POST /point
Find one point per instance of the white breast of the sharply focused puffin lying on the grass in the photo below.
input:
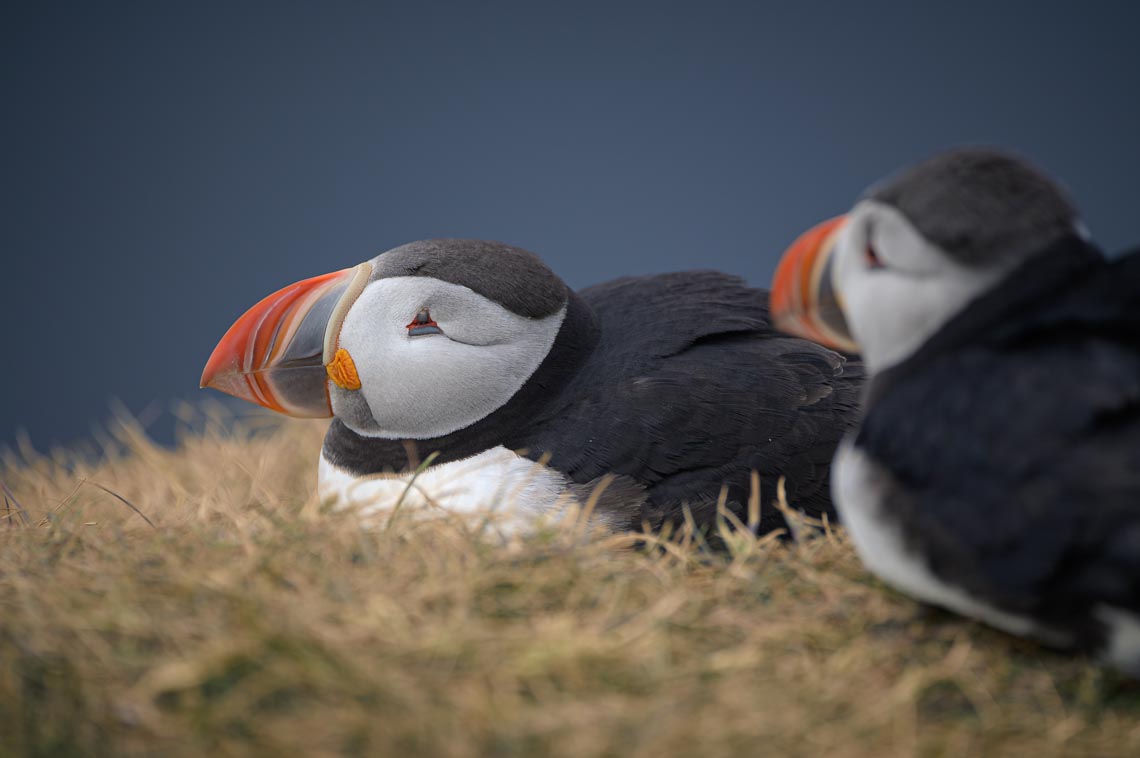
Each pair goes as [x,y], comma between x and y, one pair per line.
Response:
[496,482]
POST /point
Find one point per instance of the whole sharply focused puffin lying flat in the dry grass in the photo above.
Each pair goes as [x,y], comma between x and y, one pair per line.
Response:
[467,376]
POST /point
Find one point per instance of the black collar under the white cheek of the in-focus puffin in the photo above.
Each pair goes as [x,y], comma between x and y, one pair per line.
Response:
[369,455]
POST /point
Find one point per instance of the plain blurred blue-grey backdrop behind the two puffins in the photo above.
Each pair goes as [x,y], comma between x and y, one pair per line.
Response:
[168,165]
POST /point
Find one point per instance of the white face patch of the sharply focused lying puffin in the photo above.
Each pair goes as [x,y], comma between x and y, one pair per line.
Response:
[426,387]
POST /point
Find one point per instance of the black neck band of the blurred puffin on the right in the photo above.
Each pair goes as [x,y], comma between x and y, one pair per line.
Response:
[994,319]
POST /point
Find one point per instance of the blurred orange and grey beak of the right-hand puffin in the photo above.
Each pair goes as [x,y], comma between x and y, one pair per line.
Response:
[804,299]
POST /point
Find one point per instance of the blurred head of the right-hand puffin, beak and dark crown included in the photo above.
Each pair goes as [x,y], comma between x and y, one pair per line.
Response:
[916,250]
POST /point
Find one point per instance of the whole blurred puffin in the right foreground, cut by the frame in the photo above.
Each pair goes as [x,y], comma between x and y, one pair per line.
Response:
[996,471]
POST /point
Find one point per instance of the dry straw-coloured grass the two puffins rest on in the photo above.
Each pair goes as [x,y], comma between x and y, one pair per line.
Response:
[248,621]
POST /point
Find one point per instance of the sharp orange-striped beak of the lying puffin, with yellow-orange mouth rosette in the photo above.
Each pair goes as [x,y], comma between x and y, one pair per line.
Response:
[282,353]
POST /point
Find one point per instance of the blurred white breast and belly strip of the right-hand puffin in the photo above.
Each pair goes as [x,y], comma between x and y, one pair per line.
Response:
[858,487]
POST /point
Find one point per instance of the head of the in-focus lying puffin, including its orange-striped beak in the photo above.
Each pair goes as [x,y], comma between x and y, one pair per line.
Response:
[419,343]
